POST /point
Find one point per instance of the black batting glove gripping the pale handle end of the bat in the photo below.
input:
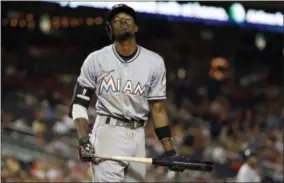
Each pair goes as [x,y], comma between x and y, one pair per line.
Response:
[86,149]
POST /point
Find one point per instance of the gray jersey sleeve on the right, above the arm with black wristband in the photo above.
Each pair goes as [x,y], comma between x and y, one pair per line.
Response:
[158,83]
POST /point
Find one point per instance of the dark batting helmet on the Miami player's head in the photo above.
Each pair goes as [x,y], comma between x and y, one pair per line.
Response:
[119,8]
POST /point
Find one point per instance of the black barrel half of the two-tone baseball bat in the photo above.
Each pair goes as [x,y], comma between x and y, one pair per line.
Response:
[191,165]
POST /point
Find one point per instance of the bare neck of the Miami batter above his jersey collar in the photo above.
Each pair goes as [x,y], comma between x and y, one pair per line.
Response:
[126,48]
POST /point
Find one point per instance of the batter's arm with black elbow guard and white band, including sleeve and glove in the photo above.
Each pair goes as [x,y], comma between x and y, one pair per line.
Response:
[81,99]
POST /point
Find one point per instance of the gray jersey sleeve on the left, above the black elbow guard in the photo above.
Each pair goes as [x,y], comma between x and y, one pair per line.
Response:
[88,74]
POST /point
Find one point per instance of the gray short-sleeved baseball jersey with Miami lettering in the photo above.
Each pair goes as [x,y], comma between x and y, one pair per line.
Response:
[123,88]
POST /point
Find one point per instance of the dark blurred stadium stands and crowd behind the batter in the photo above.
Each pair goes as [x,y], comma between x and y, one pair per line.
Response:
[225,88]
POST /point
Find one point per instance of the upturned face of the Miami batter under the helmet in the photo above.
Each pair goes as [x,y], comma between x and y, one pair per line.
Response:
[124,26]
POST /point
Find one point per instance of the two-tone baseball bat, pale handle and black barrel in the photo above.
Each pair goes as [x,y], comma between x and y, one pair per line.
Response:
[190,165]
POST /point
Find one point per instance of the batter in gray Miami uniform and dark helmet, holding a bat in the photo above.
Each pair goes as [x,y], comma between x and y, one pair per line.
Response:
[129,82]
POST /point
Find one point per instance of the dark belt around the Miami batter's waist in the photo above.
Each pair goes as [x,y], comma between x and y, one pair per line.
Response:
[132,124]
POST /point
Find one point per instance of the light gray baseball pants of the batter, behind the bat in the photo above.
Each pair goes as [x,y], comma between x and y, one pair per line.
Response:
[112,140]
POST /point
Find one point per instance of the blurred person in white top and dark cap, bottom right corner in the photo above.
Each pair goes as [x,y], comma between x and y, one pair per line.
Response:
[247,172]
